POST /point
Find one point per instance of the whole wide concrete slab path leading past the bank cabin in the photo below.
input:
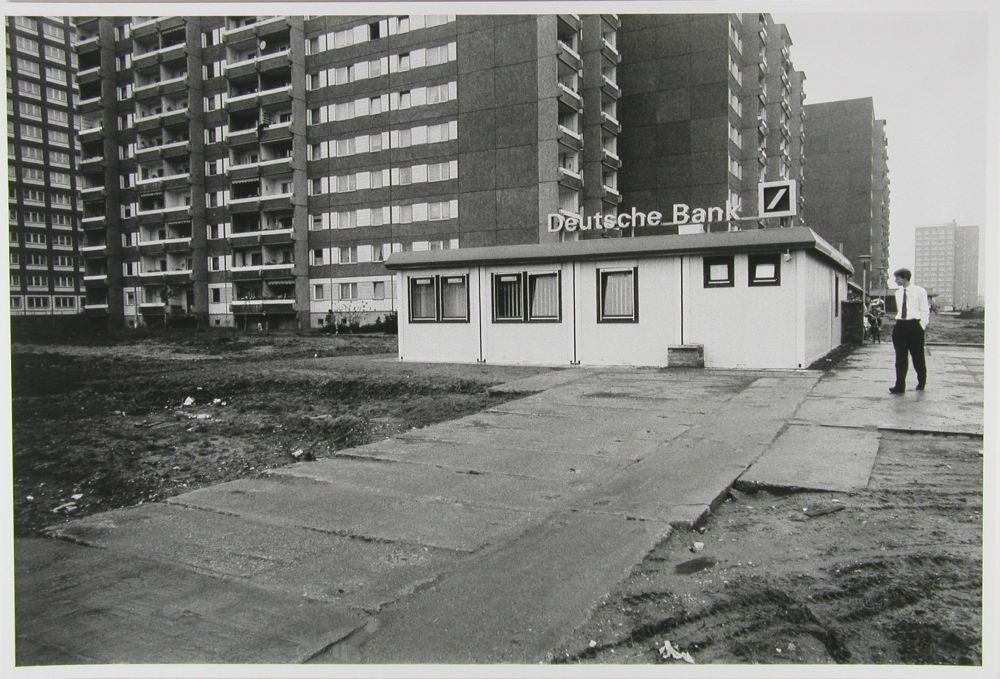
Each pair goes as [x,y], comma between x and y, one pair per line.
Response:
[484,539]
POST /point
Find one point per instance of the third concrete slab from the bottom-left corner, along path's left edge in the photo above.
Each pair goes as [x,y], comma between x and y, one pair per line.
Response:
[345,510]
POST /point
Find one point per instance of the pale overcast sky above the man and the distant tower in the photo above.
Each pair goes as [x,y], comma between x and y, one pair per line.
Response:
[927,74]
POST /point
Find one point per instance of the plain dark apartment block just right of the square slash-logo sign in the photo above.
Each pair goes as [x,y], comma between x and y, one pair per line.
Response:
[847,184]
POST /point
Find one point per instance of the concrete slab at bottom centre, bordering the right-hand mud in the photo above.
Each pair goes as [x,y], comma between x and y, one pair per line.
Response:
[513,604]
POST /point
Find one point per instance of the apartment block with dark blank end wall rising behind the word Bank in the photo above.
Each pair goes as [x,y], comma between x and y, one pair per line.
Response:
[707,114]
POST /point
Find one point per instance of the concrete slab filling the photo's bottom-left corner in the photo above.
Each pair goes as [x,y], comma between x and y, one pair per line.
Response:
[80,605]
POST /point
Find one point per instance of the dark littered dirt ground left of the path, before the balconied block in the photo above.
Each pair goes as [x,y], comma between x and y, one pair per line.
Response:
[101,427]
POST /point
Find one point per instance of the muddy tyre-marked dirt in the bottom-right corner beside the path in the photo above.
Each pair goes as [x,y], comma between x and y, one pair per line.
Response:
[893,577]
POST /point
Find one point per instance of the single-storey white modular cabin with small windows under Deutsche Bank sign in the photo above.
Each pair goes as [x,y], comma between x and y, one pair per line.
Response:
[761,299]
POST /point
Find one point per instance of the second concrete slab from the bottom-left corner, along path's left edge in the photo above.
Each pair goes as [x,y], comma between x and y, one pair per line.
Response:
[294,561]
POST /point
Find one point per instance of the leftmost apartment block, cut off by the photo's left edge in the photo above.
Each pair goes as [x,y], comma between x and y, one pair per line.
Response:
[44,216]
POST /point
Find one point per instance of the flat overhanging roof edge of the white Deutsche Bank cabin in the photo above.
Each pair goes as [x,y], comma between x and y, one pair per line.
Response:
[728,242]
